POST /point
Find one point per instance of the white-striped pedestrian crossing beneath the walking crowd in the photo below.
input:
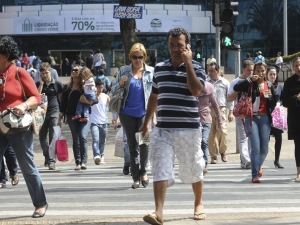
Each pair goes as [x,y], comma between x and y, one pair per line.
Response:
[108,193]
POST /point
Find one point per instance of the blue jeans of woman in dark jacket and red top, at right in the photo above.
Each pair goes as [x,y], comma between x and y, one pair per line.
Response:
[259,139]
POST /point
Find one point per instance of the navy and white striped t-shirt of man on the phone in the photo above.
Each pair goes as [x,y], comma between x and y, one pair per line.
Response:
[177,107]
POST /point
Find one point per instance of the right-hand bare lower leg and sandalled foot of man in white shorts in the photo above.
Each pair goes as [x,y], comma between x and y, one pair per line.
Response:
[198,205]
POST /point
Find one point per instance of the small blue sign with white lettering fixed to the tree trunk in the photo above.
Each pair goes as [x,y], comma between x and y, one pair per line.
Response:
[128,12]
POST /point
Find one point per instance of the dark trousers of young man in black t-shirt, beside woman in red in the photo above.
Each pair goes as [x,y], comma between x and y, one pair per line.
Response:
[49,123]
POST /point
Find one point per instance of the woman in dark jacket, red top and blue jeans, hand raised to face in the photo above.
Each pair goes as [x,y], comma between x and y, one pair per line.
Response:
[264,102]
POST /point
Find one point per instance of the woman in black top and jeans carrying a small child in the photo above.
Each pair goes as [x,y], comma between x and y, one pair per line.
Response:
[79,130]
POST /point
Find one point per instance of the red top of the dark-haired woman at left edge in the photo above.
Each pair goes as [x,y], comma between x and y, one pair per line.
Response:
[13,91]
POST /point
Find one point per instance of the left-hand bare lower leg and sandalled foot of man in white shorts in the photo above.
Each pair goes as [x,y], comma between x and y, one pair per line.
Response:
[159,189]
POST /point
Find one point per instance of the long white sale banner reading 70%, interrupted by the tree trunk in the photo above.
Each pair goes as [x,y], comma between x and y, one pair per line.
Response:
[96,24]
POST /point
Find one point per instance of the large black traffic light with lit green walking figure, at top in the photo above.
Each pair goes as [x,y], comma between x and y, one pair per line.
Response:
[227,28]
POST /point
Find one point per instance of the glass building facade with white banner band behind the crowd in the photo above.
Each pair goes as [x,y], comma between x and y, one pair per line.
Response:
[258,27]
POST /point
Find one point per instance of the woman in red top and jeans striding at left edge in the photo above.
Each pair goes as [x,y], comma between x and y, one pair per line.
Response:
[11,96]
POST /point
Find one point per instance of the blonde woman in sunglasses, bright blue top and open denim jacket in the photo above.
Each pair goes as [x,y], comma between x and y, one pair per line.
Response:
[137,78]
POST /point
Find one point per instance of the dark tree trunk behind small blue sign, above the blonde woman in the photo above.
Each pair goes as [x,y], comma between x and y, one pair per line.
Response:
[127,28]
